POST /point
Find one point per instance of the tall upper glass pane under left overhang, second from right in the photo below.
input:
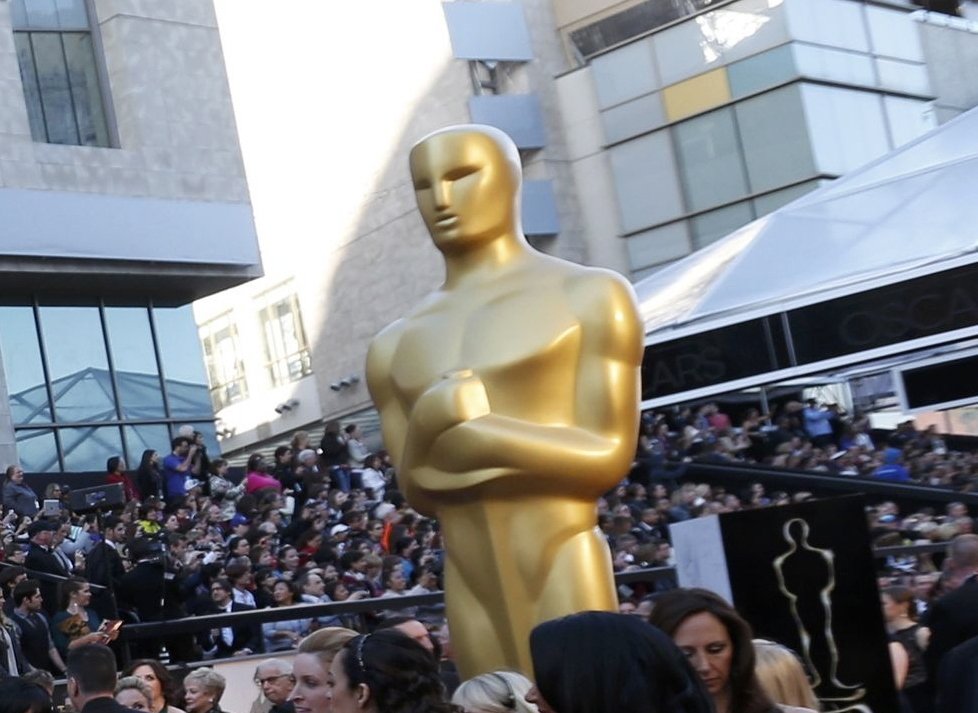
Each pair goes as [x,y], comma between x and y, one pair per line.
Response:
[137,374]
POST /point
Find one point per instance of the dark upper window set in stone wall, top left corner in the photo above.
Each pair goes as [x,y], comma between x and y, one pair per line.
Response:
[53,39]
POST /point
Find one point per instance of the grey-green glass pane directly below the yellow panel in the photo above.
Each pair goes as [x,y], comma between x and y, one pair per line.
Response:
[710,163]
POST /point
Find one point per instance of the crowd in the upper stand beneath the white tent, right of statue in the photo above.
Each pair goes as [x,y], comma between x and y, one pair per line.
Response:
[808,436]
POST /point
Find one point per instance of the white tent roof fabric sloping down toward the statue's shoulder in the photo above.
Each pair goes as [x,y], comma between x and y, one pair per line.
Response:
[914,207]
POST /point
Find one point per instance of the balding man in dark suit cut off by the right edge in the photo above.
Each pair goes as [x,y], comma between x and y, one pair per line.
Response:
[953,618]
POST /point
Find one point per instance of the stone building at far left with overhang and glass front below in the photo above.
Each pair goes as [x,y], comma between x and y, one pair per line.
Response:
[124,199]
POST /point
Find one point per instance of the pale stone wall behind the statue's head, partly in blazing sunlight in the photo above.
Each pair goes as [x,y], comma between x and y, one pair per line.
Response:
[334,204]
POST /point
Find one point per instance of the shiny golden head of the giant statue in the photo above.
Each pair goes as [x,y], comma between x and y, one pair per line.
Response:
[465,187]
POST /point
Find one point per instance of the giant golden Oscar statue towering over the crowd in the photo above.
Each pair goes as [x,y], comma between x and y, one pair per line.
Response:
[509,400]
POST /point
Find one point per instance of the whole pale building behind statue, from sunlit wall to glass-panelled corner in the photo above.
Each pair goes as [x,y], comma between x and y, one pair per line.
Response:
[653,127]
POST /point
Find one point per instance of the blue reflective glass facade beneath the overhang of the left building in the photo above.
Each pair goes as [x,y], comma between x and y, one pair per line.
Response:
[88,381]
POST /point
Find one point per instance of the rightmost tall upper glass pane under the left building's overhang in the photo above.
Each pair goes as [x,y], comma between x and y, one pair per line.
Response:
[183,363]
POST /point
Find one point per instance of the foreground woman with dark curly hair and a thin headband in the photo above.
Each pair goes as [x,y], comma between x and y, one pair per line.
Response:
[386,672]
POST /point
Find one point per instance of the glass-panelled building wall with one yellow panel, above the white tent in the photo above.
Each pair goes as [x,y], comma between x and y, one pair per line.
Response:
[709,123]
